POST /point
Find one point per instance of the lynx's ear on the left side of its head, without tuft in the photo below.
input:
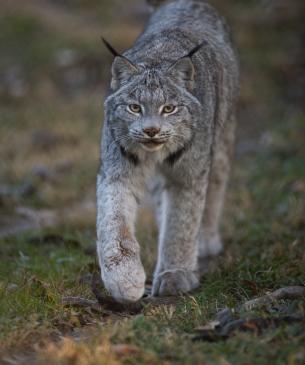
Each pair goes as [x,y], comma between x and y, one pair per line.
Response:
[122,69]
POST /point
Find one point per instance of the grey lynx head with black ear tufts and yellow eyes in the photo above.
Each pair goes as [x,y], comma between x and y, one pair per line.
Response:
[152,107]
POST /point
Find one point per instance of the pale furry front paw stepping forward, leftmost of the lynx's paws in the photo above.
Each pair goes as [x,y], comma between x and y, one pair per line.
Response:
[123,275]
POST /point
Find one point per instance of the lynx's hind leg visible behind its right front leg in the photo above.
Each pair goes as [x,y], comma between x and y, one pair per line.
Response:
[210,243]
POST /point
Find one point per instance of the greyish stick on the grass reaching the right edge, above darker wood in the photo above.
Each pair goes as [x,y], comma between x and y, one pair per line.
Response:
[288,292]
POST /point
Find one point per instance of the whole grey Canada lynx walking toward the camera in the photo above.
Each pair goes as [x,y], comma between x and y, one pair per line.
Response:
[168,128]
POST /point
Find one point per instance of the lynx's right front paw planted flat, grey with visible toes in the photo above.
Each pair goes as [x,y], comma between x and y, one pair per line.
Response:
[174,282]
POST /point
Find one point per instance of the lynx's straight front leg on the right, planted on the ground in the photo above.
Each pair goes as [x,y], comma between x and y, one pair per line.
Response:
[177,262]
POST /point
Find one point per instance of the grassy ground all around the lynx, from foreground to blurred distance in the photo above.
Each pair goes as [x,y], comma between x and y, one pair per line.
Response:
[263,225]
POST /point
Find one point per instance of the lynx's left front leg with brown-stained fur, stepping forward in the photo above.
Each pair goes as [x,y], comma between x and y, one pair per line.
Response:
[118,250]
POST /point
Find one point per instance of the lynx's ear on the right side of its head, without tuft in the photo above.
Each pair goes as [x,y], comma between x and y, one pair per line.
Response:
[183,72]
